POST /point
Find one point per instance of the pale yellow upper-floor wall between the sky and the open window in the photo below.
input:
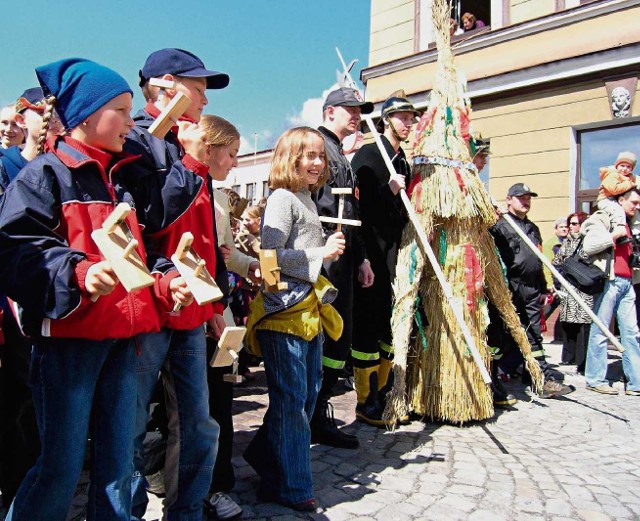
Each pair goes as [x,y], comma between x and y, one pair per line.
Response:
[392,30]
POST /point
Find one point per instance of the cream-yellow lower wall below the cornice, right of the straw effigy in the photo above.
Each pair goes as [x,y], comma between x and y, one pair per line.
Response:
[531,138]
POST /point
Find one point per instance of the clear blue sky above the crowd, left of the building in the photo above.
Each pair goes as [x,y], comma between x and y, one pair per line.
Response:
[279,54]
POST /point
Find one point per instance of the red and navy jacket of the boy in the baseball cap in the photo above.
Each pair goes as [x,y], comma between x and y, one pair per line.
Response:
[175,194]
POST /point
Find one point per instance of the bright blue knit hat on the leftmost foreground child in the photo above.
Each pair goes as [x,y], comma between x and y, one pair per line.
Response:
[80,87]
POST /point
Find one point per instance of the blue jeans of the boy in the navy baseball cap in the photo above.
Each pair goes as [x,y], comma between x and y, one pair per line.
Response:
[180,357]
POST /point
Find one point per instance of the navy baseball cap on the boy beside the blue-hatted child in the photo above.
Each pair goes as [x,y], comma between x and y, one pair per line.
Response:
[180,63]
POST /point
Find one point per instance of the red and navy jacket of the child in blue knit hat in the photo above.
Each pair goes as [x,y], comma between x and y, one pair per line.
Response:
[47,215]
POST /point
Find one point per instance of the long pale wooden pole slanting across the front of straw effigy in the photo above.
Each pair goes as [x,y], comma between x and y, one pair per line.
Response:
[455,303]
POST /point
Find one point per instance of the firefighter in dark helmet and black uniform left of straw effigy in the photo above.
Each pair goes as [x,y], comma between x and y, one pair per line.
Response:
[383,219]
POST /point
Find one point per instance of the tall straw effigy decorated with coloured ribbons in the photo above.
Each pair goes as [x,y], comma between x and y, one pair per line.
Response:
[434,373]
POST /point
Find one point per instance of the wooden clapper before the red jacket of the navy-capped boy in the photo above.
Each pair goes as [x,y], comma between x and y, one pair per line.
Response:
[193,270]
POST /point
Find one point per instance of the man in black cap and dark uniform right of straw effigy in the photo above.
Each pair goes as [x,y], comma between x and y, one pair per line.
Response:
[527,283]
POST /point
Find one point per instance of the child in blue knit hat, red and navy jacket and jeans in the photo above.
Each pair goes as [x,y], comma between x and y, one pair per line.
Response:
[83,359]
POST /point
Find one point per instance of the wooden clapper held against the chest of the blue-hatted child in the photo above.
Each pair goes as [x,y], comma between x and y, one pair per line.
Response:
[117,244]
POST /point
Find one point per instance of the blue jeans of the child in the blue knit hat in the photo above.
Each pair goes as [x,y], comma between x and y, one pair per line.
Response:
[76,383]
